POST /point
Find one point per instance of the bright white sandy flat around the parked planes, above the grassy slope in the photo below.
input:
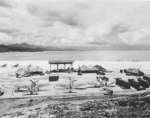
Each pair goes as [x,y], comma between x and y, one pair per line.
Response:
[8,79]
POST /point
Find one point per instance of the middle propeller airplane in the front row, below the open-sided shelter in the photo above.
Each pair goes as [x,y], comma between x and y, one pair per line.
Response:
[70,86]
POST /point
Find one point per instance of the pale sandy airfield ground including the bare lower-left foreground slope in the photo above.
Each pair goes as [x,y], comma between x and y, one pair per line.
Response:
[8,79]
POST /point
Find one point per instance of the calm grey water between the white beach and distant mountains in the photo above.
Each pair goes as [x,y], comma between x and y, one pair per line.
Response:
[77,55]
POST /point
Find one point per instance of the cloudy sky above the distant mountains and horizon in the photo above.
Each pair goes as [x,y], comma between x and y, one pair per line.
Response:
[75,22]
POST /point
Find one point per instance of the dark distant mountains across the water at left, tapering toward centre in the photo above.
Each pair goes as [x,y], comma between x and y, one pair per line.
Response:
[24,47]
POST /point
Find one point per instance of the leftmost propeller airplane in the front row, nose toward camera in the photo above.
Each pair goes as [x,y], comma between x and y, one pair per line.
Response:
[34,87]
